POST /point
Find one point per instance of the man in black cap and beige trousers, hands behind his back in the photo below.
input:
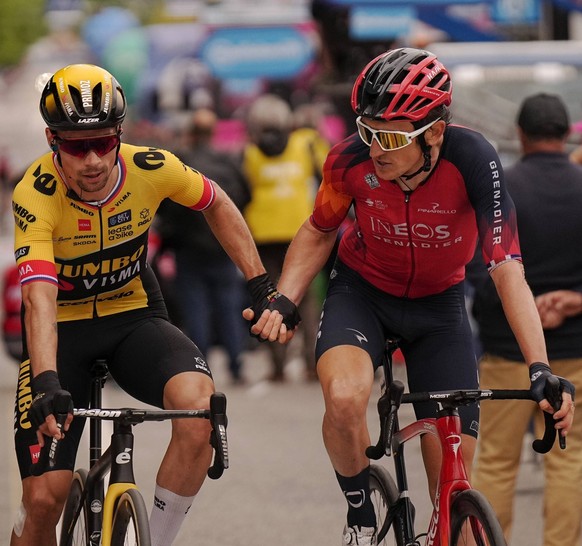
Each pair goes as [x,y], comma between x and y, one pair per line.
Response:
[547,190]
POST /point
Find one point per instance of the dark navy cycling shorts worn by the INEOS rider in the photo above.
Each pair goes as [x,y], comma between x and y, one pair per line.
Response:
[436,339]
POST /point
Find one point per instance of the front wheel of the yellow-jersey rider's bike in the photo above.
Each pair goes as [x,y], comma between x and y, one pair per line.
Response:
[130,522]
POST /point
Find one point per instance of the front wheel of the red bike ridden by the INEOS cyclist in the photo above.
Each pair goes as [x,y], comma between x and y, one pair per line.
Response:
[473,521]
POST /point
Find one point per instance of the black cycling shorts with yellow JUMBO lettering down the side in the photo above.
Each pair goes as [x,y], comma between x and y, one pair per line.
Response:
[143,351]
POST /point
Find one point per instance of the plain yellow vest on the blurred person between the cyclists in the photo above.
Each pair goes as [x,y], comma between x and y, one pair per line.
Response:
[283,188]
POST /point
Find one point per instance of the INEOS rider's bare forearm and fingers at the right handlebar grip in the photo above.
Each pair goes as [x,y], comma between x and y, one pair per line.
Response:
[522,314]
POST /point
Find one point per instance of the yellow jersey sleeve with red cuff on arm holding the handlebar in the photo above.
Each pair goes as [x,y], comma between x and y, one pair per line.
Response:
[35,215]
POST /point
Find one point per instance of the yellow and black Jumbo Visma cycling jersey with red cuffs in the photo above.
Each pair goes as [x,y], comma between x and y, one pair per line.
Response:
[96,253]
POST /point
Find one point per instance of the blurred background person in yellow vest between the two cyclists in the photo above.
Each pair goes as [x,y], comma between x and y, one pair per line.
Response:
[283,168]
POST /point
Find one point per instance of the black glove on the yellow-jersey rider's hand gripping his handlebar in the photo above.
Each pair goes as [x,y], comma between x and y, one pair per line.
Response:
[49,398]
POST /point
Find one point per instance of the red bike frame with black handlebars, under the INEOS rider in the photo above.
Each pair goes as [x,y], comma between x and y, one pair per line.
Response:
[446,428]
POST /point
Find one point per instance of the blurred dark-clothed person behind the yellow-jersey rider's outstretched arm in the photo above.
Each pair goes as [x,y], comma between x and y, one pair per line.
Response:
[209,291]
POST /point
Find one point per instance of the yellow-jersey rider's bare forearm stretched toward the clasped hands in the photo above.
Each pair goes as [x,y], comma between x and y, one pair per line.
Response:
[231,230]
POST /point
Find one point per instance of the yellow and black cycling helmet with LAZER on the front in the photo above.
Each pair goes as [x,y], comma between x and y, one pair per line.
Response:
[82,97]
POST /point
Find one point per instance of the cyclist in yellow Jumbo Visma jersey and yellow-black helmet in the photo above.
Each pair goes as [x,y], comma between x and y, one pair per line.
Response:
[82,216]
